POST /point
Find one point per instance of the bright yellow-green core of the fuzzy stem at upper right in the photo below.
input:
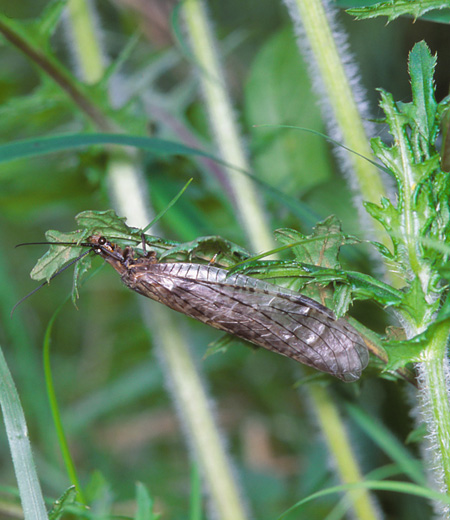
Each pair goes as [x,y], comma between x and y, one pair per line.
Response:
[341,99]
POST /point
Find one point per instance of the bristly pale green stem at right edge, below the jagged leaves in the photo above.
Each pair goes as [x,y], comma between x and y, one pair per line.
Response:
[434,394]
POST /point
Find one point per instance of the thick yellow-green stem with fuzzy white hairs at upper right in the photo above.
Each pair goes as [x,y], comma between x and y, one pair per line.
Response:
[336,79]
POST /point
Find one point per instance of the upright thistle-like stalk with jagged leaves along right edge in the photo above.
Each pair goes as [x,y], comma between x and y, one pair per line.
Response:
[422,300]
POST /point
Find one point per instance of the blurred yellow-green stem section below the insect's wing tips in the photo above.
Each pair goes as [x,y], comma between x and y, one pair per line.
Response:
[338,442]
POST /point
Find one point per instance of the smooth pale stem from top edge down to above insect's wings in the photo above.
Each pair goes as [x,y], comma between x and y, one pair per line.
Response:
[224,126]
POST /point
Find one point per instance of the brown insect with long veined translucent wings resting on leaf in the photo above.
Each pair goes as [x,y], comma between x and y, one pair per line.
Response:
[269,316]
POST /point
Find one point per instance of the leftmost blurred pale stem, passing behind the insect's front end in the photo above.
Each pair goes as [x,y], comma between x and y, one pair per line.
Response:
[129,194]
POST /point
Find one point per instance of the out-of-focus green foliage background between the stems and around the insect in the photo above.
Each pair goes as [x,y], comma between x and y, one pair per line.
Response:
[119,419]
